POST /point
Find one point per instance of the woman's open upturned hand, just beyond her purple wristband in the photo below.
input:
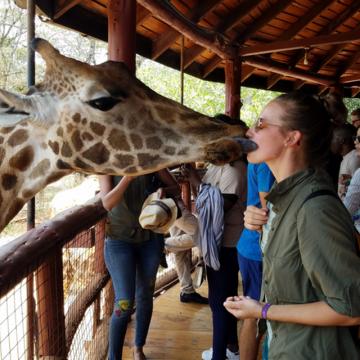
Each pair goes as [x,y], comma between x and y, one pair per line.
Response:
[243,307]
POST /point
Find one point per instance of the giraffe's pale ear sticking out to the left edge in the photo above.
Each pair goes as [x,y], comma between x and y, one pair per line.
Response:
[16,108]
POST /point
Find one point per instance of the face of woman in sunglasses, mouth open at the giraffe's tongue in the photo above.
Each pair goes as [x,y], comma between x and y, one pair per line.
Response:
[268,134]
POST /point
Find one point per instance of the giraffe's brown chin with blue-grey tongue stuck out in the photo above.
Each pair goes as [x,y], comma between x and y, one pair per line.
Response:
[227,150]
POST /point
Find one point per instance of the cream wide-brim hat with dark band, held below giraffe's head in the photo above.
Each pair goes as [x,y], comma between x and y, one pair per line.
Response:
[158,215]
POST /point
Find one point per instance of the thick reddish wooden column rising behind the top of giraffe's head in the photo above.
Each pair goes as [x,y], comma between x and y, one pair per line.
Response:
[122,31]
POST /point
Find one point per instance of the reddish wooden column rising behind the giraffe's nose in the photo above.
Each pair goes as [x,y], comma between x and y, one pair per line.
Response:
[232,87]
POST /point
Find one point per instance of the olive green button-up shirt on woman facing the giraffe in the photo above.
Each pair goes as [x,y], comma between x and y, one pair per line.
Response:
[310,256]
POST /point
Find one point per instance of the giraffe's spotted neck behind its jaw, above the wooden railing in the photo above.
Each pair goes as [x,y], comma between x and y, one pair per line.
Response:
[27,166]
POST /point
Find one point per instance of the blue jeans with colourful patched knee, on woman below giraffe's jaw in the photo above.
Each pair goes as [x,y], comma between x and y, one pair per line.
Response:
[133,269]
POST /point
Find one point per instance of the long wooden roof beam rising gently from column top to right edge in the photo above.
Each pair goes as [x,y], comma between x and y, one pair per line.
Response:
[278,46]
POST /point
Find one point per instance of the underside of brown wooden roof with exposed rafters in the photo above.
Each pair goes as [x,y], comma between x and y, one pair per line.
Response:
[283,44]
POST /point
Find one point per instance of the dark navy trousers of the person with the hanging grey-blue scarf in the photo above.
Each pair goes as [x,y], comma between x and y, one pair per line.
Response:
[222,284]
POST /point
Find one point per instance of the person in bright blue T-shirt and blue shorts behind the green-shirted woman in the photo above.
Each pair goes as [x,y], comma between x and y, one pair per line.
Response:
[259,180]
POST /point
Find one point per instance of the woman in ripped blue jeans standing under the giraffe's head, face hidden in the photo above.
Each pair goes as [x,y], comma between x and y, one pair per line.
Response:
[132,255]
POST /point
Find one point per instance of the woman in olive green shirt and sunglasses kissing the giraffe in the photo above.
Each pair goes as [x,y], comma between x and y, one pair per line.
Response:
[311,270]
